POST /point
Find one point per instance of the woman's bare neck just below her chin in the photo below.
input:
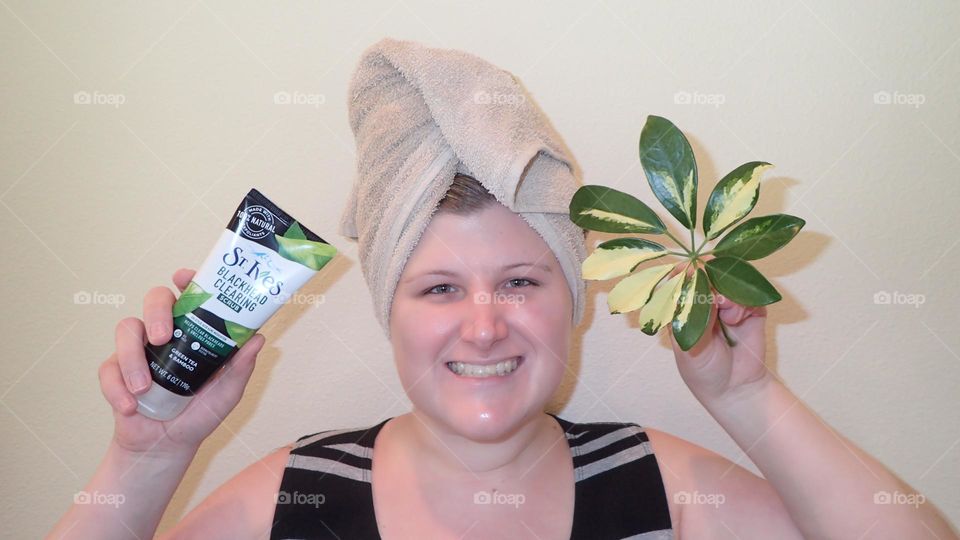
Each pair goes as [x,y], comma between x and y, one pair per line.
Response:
[511,456]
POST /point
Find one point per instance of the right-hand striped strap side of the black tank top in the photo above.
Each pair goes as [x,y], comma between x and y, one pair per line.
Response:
[619,492]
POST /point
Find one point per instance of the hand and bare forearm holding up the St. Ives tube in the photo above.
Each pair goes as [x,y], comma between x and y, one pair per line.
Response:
[146,459]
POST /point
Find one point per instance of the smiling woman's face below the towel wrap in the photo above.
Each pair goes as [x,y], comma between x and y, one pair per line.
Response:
[481,289]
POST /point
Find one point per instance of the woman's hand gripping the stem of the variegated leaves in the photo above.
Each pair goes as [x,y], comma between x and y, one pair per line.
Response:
[712,369]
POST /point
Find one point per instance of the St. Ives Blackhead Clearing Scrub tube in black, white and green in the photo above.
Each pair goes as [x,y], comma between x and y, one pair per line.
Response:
[260,260]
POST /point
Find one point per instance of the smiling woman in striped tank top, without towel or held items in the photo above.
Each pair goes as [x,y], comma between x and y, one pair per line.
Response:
[480,320]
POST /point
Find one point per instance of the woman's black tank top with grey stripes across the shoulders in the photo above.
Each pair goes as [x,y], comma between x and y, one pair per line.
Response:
[619,492]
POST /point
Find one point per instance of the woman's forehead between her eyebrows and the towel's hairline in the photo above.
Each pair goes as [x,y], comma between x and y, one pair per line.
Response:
[488,238]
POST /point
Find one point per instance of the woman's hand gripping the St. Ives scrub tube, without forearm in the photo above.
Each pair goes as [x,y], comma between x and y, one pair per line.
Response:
[126,374]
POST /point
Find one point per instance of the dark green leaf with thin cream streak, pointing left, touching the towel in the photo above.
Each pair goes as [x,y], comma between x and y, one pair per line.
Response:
[599,208]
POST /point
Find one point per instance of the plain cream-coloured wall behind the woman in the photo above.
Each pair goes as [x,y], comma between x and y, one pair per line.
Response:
[108,200]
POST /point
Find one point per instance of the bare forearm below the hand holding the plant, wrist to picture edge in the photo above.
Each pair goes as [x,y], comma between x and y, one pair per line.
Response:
[831,488]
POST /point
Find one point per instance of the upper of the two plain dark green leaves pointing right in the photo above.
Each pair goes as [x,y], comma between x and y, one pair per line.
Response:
[758,237]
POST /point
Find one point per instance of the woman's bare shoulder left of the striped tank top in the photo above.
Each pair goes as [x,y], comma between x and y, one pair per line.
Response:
[242,507]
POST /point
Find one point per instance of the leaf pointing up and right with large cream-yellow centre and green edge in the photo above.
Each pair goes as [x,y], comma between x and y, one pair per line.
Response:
[733,197]
